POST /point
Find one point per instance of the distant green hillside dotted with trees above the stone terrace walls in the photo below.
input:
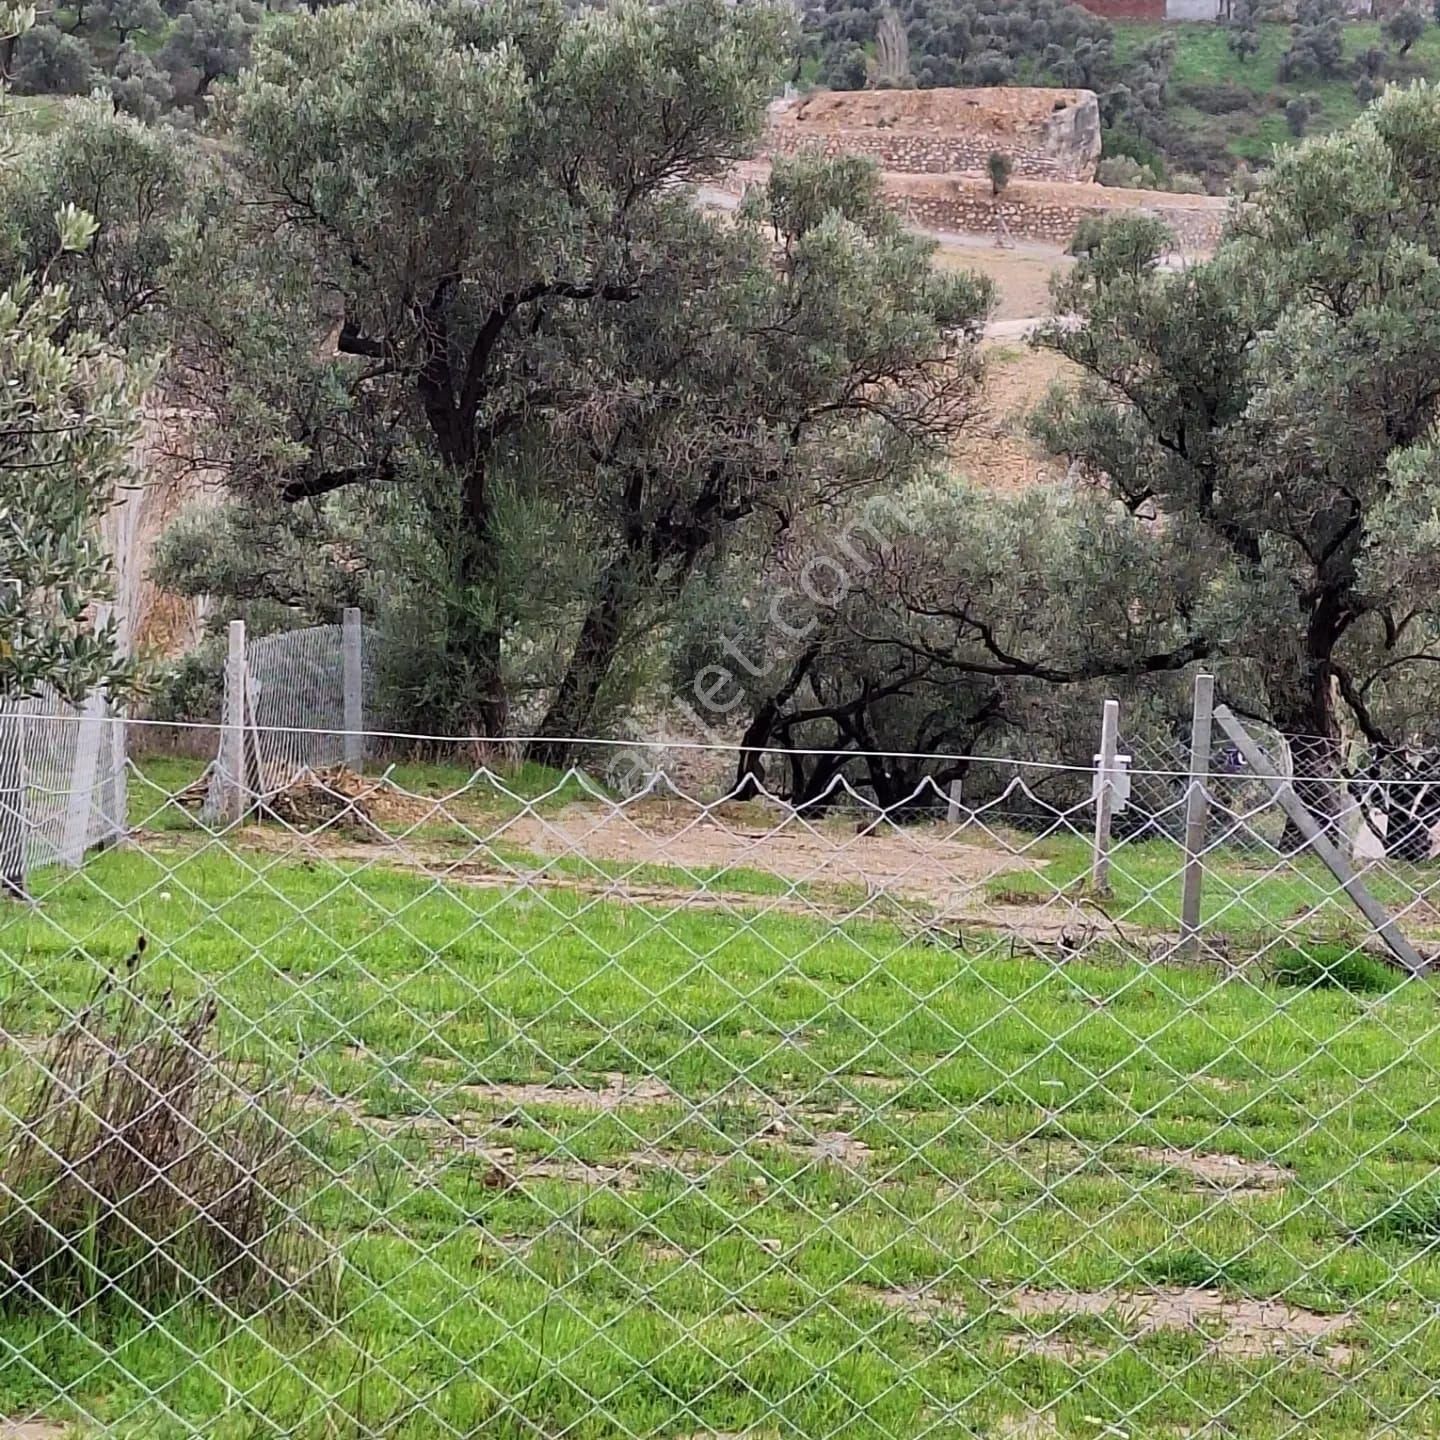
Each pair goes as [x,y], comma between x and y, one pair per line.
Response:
[1183,100]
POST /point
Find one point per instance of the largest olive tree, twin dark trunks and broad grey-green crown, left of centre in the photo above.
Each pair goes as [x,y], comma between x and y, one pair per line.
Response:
[552,382]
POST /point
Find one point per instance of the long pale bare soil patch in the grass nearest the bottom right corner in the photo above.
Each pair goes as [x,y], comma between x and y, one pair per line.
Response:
[1236,1328]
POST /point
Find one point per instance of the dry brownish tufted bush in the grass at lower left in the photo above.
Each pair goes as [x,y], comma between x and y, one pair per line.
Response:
[140,1166]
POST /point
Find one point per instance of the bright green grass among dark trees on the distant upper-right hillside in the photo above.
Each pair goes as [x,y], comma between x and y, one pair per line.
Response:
[1202,55]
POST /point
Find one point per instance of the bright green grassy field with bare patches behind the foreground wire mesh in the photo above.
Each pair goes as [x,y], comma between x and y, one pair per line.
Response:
[872,1186]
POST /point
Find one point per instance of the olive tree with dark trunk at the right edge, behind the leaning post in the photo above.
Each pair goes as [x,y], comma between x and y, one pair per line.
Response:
[1264,404]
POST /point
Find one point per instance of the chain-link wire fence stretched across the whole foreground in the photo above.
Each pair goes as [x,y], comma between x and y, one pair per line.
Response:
[453,1102]
